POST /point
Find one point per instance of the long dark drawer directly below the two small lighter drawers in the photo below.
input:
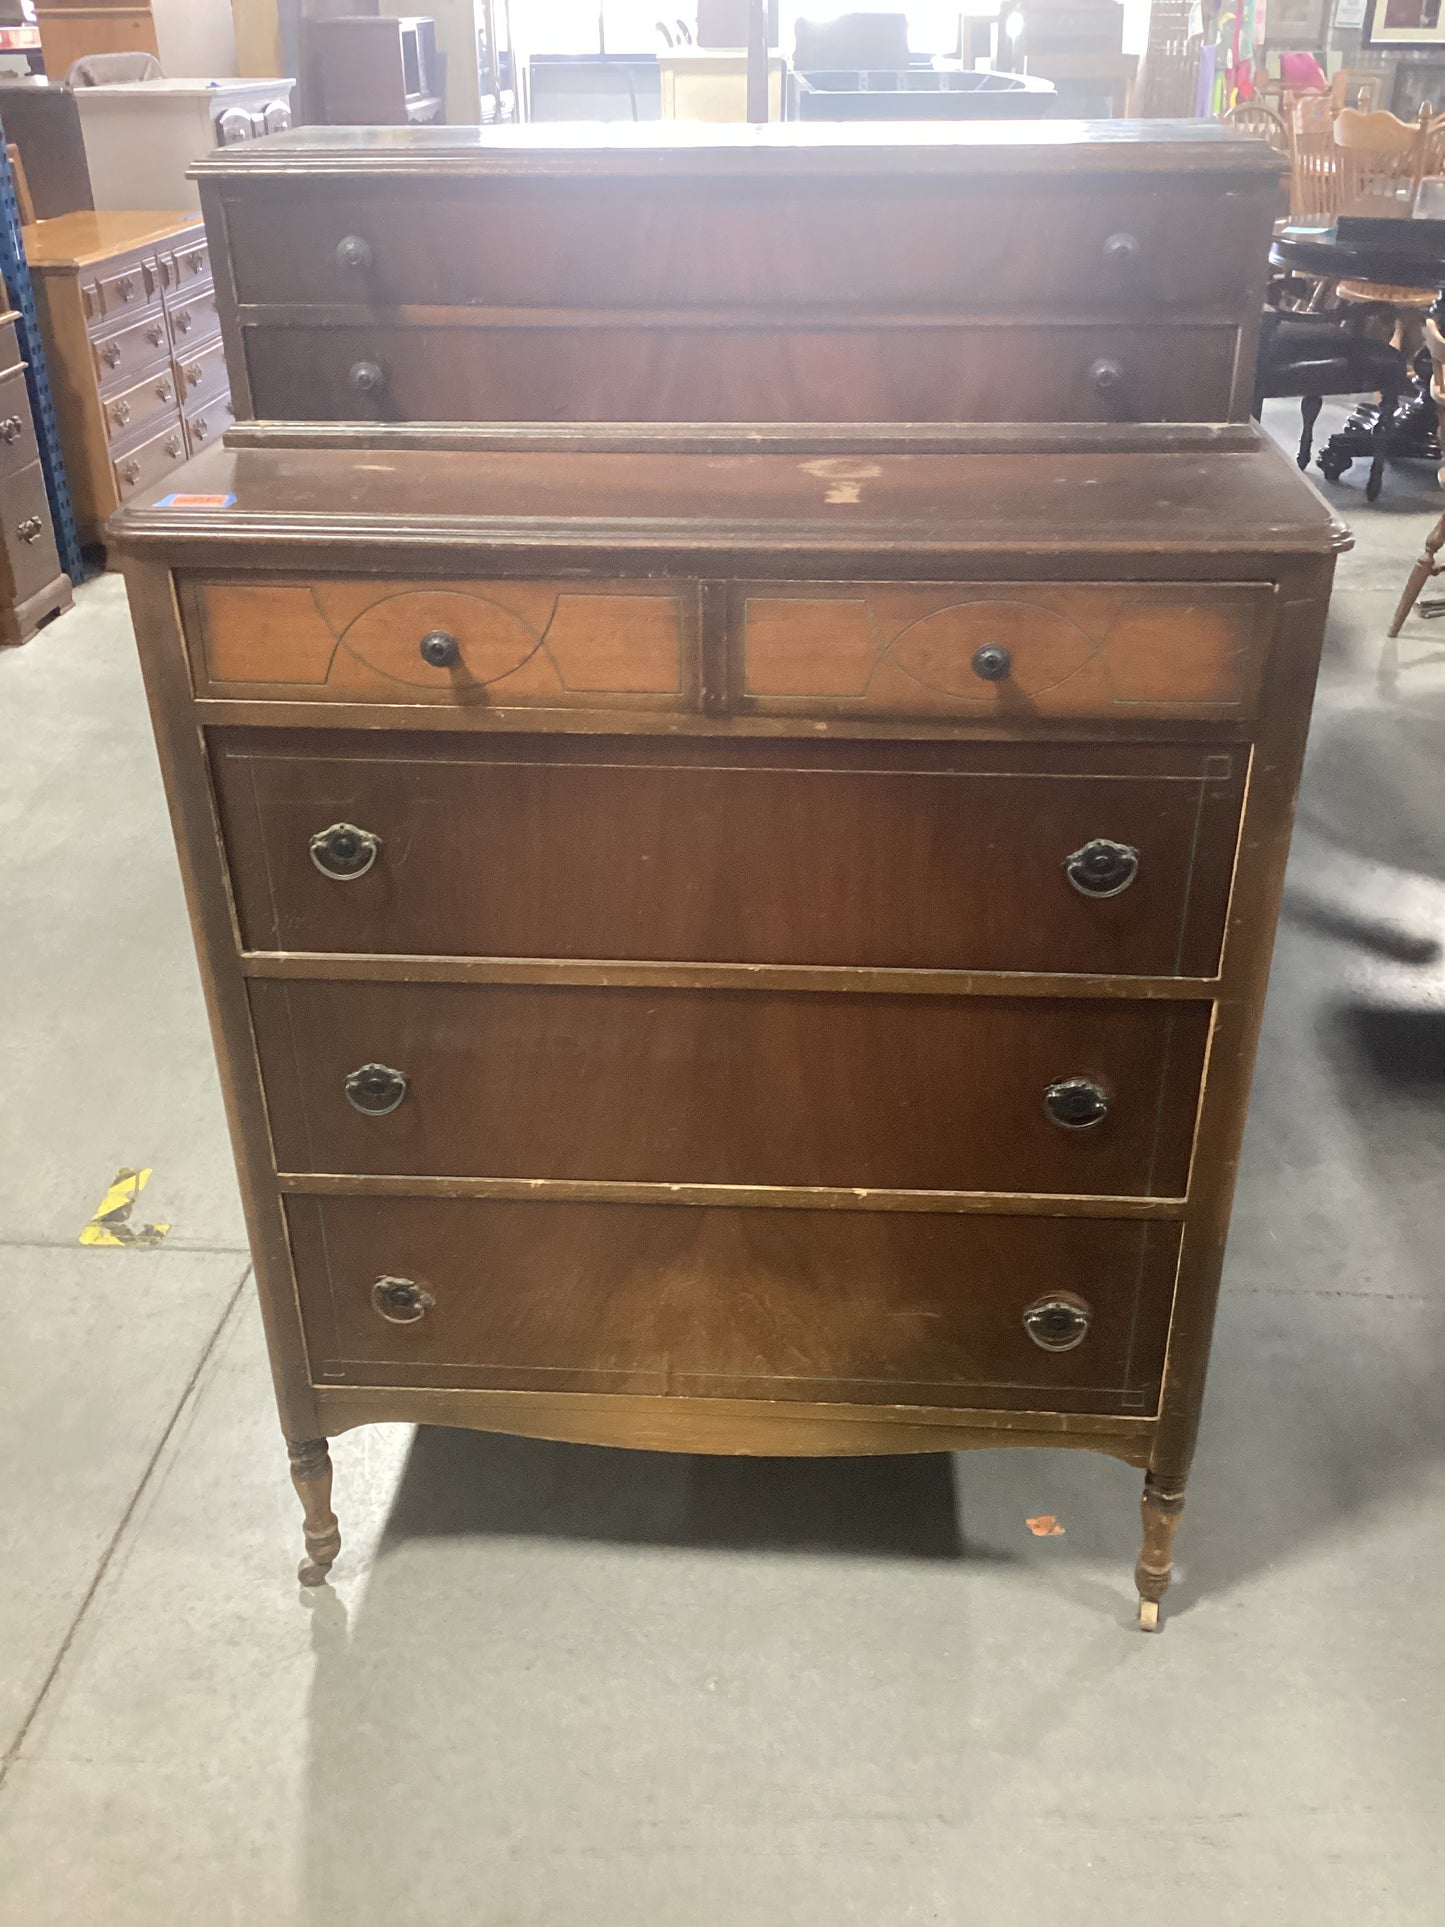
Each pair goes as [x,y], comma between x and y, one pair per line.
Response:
[947,857]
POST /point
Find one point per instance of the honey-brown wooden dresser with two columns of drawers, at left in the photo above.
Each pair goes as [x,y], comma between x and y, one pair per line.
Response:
[132,330]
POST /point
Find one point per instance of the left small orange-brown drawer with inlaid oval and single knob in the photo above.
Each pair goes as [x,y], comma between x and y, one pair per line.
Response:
[527,645]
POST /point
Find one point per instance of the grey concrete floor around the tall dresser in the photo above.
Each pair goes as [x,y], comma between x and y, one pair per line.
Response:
[556,1685]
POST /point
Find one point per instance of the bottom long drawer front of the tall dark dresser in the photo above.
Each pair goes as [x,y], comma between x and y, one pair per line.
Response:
[905,1307]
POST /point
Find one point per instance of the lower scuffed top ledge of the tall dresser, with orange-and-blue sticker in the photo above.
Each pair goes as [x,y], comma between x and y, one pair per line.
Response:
[760,504]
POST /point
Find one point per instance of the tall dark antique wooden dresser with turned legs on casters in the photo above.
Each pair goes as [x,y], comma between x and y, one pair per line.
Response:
[741,926]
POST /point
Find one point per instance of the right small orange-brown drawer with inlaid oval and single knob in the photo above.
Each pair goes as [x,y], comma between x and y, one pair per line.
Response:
[1007,650]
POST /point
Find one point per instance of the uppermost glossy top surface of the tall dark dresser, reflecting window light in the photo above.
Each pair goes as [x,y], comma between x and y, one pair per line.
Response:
[1057,149]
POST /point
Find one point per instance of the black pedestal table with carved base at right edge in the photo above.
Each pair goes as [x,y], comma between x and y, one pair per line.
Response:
[1392,248]
